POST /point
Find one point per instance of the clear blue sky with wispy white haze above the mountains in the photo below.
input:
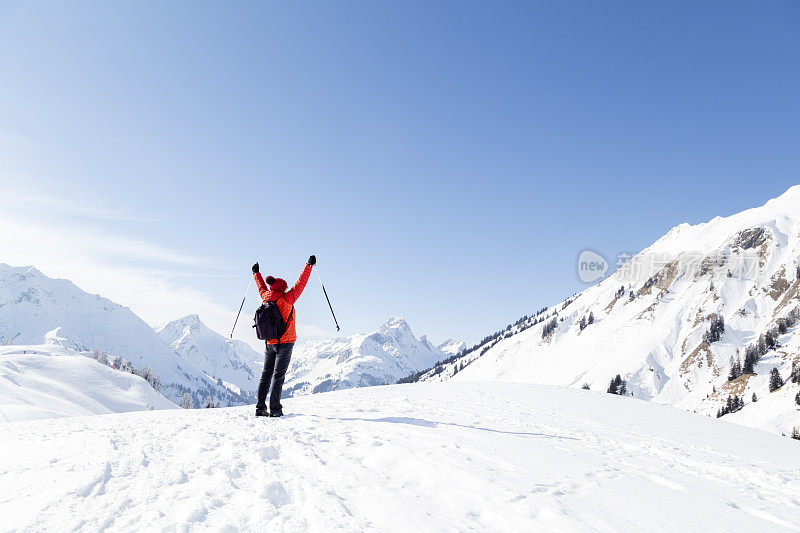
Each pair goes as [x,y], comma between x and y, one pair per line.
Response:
[446,161]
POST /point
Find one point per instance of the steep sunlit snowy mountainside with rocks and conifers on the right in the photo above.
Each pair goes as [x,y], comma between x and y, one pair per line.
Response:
[674,322]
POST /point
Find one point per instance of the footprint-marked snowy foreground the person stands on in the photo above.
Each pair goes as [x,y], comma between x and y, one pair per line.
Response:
[424,457]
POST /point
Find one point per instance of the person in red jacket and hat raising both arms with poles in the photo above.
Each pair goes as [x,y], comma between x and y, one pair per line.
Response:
[279,351]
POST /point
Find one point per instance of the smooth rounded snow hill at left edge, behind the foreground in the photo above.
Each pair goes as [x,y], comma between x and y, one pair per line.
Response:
[51,381]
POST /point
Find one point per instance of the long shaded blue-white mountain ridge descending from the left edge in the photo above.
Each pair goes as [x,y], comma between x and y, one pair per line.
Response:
[36,309]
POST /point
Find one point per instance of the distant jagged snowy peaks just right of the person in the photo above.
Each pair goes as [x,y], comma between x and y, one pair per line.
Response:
[378,358]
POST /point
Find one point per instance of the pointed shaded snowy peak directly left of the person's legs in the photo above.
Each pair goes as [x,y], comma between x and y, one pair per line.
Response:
[232,361]
